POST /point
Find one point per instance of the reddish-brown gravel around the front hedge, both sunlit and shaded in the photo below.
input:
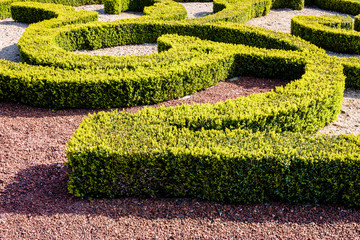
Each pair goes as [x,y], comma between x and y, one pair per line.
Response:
[34,203]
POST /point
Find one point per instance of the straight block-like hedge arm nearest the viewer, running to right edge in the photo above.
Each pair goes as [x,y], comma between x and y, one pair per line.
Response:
[121,154]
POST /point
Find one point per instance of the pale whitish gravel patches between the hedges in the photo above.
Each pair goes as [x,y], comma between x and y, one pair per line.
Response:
[278,20]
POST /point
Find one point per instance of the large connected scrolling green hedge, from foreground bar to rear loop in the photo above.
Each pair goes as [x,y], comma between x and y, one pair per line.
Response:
[243,150]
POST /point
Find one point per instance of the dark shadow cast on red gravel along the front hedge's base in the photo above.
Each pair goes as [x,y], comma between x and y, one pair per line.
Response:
[41,190]
